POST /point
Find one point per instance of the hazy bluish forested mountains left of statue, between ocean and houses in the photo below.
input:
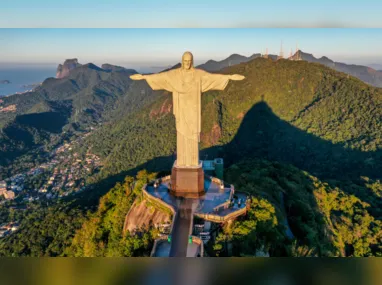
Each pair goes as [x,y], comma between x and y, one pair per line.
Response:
[85,96]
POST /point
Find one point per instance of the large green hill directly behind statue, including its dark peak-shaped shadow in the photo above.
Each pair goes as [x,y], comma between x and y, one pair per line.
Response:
[296,112]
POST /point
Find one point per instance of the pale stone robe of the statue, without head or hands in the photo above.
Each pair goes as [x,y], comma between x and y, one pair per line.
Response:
[186,88]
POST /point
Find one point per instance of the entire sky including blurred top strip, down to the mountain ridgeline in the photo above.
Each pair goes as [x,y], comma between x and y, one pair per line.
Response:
[155,33]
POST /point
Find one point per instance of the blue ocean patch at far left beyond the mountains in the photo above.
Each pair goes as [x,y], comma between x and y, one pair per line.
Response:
[19,76]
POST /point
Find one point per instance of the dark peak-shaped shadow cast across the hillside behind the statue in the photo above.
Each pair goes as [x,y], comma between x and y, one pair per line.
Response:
[263,135]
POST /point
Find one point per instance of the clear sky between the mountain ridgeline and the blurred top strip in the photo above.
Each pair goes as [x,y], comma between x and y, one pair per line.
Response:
[151,47]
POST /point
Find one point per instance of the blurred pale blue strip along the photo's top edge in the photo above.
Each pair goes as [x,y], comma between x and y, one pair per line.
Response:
[194,14]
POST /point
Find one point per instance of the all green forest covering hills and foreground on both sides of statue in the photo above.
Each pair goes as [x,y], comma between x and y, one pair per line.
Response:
[303,139]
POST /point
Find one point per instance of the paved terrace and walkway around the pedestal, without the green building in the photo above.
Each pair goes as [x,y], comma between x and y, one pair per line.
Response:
[219,204]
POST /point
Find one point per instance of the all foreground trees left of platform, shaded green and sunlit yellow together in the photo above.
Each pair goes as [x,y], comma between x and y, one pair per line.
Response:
[66,229]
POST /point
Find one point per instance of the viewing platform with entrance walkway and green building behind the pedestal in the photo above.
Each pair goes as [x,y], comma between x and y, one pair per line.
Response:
[218,203]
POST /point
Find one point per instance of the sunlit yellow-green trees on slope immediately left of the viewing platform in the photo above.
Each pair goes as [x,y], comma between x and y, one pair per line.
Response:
[101,234]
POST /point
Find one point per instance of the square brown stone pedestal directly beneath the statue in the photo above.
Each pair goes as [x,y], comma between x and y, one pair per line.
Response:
[187,182]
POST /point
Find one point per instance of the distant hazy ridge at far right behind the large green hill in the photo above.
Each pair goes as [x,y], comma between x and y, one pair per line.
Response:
[365,73]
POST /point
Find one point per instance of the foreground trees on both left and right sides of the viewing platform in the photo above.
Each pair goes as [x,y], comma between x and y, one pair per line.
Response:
[325,220]
